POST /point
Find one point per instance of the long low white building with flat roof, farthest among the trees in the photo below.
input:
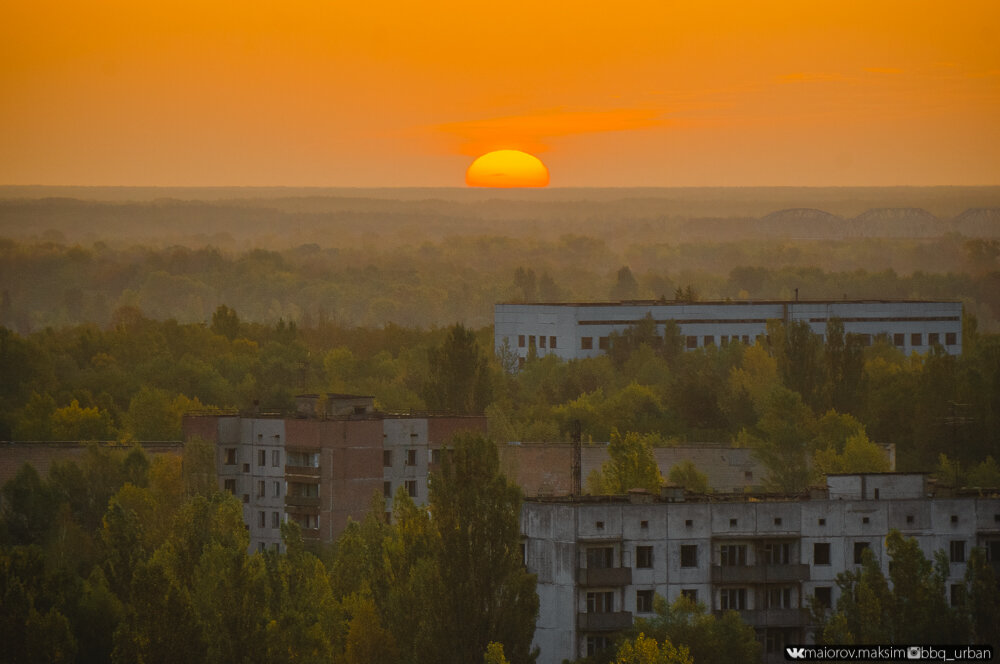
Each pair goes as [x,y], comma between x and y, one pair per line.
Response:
[579,330]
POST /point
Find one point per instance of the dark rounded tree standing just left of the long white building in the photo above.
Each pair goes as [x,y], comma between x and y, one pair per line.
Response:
[459,379]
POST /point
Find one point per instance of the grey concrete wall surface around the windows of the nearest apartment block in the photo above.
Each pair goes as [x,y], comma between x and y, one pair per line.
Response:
[558,532]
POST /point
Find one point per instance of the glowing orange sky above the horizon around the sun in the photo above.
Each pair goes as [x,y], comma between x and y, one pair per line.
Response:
[637,93]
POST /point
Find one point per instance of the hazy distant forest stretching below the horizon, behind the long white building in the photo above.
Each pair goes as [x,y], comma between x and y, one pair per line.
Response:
[428,258]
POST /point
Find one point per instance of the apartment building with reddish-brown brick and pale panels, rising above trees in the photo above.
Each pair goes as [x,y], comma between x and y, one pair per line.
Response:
[319,471]
